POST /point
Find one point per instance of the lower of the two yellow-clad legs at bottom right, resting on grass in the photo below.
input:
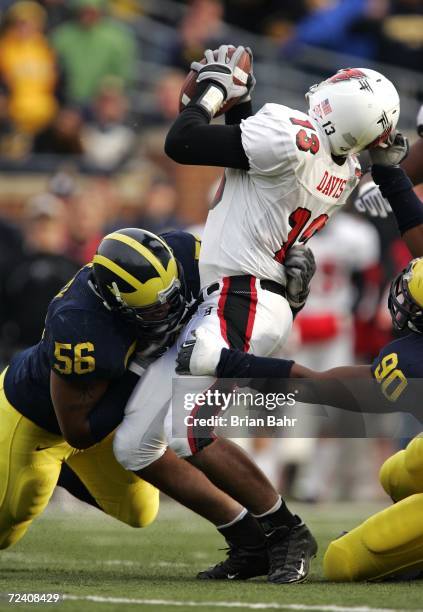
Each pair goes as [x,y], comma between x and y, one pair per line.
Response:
[387,543]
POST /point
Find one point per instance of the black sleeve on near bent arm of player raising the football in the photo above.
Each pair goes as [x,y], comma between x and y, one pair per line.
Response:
[191,140]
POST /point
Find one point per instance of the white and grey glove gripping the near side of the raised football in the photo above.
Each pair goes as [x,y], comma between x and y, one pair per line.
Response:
[221,71]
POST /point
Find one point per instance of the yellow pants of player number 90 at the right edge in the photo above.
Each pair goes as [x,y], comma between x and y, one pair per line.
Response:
[390,541]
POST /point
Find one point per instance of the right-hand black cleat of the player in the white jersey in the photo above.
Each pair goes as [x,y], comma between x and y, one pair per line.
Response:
[290,553]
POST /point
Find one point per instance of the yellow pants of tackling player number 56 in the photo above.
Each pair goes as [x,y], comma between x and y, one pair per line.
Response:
[30,464]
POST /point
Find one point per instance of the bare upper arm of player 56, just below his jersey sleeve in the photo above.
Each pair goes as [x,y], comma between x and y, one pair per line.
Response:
[73,401]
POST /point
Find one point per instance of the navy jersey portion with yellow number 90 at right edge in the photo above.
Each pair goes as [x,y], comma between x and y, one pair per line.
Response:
[397,362]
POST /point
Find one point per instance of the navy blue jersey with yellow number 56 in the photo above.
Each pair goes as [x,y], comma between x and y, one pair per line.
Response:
[83,339]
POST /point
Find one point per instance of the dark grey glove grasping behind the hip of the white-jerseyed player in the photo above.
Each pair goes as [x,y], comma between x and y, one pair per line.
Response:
[300,267]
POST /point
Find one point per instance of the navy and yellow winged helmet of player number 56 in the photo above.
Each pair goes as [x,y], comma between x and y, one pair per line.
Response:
[137,276]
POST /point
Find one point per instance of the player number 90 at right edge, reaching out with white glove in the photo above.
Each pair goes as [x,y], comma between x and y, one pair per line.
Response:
[391,541]
